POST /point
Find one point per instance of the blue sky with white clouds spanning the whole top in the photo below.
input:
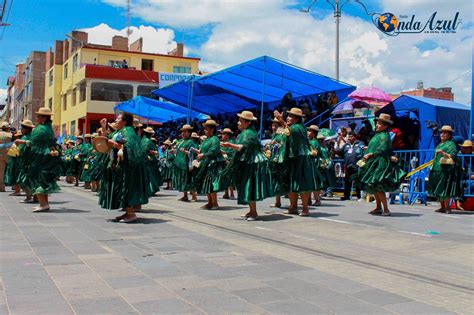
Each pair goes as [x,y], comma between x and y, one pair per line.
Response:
[367,56]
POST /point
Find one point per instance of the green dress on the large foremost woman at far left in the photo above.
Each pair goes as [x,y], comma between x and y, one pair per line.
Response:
[43,169]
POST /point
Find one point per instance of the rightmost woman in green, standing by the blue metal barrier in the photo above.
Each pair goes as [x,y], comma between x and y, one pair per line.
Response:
[444,181]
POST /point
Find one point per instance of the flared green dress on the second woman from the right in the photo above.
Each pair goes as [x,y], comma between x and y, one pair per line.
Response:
[380,174]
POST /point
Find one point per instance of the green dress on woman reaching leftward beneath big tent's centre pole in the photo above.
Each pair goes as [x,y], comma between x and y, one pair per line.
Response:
[250,169]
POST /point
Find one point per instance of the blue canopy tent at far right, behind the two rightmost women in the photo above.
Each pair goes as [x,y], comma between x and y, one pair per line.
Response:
[428,109]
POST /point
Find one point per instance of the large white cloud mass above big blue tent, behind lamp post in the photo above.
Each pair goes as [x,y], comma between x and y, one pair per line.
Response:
[241,30]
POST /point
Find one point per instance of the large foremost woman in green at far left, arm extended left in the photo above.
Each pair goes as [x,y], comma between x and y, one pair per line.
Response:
[43,160]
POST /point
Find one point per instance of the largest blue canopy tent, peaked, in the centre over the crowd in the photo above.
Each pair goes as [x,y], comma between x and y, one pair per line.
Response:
[256,83]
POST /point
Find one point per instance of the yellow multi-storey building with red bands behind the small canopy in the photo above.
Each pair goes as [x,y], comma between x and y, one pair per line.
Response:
[92,80]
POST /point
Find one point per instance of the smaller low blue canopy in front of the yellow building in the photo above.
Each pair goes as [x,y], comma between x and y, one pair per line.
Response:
[156,110]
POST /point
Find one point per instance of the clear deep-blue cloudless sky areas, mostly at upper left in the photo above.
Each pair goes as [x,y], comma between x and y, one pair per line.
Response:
[36,24]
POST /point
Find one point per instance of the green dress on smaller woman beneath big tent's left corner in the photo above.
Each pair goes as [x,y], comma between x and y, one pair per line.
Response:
[182,179]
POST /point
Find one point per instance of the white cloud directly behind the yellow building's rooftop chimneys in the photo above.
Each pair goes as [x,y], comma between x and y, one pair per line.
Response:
[155,40]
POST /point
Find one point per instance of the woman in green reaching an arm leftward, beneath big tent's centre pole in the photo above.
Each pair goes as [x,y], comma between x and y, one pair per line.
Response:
[249,167]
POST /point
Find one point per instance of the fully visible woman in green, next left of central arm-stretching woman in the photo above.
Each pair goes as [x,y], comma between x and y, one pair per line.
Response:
[211,163]
